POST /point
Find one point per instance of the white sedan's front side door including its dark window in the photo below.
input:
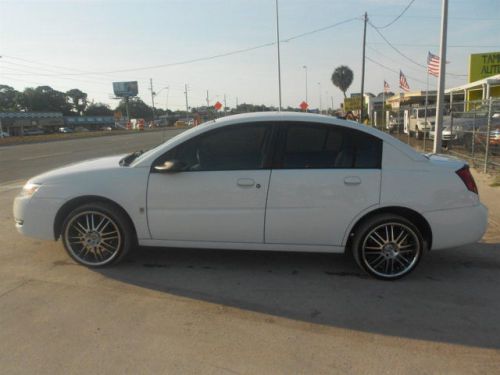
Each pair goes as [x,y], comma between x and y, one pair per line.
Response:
[220,195]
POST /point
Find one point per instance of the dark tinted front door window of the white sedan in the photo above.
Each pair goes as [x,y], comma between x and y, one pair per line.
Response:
[230,148]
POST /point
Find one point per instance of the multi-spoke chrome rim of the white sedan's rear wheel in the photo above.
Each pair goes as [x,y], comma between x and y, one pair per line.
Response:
[391,250]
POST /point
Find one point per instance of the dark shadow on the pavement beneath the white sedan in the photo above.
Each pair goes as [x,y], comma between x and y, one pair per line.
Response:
[452,297]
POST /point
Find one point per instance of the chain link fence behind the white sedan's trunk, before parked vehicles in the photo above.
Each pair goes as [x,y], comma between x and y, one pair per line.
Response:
[470,131]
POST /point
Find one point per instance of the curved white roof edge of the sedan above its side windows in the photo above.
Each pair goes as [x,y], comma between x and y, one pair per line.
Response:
[273,118]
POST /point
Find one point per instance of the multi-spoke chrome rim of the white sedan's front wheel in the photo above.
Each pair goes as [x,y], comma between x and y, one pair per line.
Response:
[93,238]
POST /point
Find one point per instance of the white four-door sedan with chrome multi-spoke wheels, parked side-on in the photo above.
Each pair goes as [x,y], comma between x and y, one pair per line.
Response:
[263,181]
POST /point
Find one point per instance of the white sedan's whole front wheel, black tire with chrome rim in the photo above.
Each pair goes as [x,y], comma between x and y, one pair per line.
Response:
[97,234]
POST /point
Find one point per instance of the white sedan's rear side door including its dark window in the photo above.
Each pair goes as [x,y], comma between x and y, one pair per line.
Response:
[325,176]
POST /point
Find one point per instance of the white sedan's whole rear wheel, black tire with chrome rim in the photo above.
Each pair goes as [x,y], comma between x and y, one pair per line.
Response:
[404,253]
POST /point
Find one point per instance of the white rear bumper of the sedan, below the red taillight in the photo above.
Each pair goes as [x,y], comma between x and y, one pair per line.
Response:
[458,226]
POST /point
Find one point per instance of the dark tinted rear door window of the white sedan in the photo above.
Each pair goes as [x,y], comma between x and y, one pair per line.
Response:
[324,146]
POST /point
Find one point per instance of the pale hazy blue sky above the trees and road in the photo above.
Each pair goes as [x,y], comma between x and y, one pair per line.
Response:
[88,44]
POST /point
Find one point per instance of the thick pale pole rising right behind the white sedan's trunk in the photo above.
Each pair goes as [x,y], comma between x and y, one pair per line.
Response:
[442,76]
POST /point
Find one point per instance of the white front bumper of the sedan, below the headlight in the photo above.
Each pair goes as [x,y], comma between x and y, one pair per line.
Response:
[34,217]
